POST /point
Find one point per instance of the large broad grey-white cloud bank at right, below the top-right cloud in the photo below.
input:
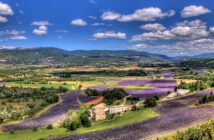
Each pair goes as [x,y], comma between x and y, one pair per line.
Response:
[183,31]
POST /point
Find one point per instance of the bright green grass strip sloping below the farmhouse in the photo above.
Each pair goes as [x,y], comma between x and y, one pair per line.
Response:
[126,119]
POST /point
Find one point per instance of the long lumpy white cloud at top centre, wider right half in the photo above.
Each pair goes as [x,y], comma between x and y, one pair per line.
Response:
[145,14]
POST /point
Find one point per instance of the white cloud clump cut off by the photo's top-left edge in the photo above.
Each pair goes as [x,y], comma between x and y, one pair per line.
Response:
[5,10]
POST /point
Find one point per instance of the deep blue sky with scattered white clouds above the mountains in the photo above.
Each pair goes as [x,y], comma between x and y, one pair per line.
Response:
[171,27]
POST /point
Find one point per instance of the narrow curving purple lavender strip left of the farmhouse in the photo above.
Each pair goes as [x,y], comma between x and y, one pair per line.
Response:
[54,115]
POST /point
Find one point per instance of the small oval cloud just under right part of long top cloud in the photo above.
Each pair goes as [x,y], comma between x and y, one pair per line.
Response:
[153,27]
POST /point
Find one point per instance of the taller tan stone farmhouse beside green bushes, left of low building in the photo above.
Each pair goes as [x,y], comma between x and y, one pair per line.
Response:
[98,112]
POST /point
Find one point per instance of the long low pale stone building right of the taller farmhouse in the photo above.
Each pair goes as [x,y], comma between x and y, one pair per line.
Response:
[117,109]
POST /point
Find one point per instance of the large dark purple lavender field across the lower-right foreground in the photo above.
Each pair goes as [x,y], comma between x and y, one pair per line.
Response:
[174,114]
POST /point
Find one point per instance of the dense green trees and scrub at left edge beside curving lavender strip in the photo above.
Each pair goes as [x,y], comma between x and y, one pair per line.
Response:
[19,103]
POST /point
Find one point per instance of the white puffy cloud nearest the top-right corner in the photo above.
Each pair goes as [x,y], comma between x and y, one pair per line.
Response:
[194,10]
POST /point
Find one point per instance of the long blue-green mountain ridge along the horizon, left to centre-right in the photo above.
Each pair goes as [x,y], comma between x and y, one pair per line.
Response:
[56,56]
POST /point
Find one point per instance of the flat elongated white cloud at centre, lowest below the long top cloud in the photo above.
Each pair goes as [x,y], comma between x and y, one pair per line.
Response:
[109,34]
